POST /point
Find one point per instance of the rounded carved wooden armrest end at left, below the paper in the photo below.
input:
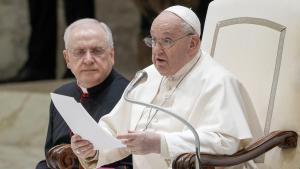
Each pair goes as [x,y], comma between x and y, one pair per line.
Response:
[61,156]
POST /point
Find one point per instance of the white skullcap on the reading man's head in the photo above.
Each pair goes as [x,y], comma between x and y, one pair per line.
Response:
[187,15]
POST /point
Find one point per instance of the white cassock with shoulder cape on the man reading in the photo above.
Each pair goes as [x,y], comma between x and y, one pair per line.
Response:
[202,92]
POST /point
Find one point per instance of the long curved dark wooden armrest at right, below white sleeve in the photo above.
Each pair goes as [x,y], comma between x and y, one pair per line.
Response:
[283,139]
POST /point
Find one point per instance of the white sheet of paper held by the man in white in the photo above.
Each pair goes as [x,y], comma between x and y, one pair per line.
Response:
[81,123]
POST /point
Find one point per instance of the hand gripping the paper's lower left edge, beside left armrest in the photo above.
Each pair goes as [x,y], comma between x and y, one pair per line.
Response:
[82,148]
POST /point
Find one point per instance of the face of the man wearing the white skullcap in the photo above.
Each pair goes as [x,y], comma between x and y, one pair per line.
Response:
[168,60]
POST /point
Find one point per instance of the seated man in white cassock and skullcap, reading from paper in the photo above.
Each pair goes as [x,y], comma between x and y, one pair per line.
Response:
[186,81]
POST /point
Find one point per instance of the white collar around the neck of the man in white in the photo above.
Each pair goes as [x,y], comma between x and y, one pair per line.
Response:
[185,69]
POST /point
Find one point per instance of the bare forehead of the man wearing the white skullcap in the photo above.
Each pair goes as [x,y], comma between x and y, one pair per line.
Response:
[166,23]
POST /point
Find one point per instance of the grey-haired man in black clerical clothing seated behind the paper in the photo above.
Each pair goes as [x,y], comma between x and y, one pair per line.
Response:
[89,54]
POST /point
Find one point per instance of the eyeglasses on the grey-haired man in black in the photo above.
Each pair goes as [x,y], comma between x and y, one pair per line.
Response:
[80,53]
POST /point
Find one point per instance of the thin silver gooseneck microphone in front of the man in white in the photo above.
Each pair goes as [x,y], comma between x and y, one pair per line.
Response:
[140,77]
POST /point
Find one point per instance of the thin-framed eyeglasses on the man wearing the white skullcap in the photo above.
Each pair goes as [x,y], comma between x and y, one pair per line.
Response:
[164,43]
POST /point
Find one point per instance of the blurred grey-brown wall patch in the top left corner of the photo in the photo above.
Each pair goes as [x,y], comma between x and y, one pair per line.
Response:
[14,32]
